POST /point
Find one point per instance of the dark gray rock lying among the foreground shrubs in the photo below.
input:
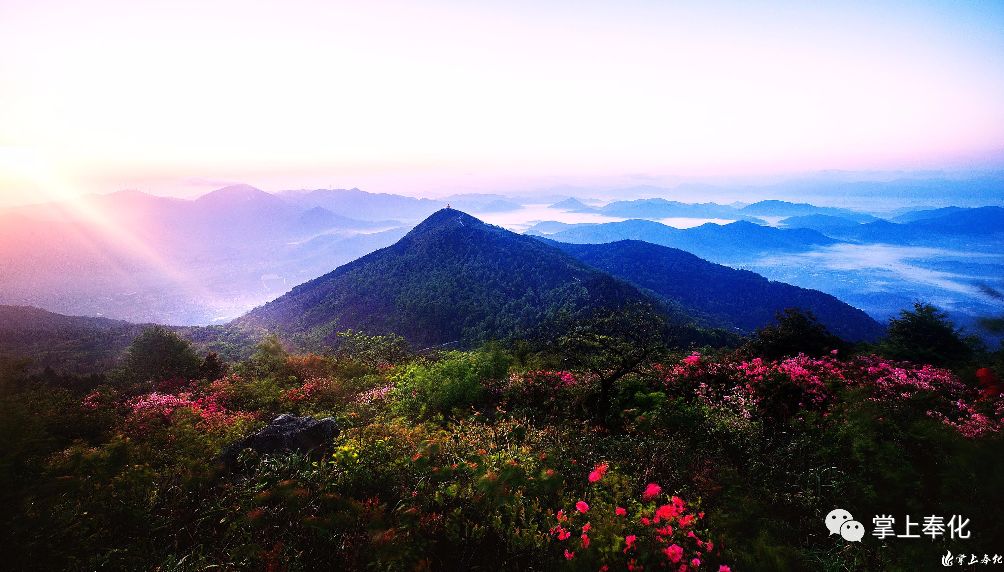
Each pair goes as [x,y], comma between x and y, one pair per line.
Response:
[285,434]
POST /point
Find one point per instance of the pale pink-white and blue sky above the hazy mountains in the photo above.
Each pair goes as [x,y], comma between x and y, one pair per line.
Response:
[427,98]
